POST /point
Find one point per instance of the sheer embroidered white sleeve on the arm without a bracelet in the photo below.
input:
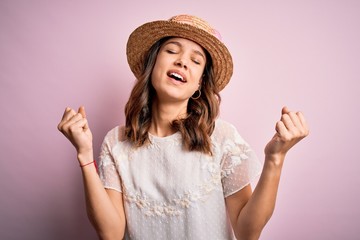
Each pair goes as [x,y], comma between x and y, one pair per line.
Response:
[240,165]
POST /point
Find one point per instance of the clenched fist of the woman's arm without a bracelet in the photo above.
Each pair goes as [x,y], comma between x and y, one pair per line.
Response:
[291,128]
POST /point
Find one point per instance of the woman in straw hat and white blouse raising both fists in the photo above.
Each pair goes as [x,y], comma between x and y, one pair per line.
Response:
[176,171]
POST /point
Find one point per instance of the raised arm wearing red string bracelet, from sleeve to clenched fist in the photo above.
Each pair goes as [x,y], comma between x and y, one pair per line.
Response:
[104,207]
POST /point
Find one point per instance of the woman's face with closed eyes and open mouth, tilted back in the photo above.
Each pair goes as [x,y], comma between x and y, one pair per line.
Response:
[178,69]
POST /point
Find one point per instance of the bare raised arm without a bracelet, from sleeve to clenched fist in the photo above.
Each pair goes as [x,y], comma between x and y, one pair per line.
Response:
[249,212]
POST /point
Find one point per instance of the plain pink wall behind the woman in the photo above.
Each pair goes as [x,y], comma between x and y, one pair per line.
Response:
[303,54]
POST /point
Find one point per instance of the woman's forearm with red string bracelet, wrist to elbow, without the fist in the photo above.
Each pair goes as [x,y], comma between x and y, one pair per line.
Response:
[100,209]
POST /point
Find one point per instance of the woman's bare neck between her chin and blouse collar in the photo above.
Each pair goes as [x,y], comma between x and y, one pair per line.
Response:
[163,114]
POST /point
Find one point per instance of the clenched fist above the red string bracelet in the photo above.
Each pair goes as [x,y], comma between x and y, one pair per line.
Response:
[74,126]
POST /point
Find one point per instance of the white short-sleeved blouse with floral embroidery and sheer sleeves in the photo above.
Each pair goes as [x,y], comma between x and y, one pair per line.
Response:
[171,193]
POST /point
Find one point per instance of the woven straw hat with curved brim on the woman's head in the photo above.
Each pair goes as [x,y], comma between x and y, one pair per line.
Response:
[185,26]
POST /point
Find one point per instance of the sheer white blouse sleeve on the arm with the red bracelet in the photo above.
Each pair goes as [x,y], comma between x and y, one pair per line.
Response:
[109,175]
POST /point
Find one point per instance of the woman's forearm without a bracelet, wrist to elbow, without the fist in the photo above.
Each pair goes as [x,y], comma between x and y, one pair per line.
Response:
[260,207]
